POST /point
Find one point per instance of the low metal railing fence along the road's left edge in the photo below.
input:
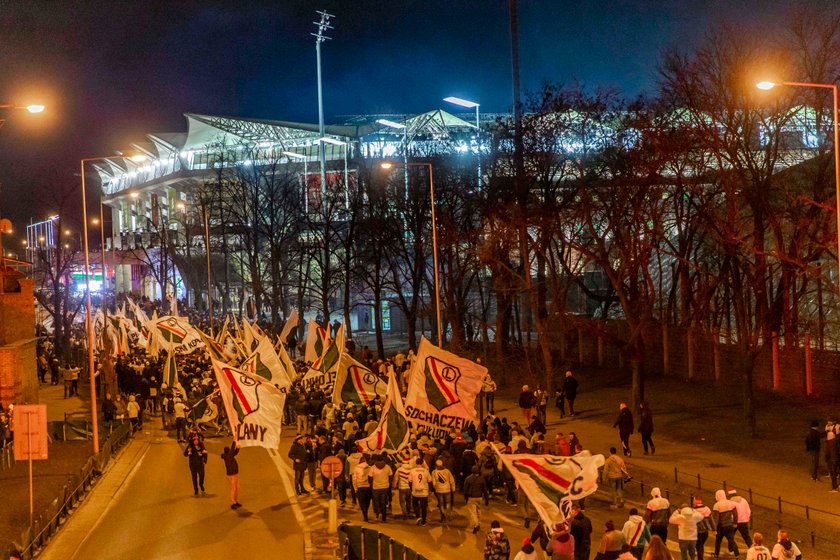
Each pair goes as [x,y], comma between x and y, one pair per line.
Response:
[45,525]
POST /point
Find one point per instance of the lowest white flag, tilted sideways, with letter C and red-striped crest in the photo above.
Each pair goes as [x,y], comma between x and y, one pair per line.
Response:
[549,480]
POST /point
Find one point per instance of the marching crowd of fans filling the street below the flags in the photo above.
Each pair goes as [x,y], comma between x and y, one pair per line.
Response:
[462,467]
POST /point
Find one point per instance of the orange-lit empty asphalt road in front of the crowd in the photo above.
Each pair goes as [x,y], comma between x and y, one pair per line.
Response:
[154,513]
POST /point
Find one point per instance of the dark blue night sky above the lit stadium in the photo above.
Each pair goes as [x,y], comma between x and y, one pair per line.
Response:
[112,71]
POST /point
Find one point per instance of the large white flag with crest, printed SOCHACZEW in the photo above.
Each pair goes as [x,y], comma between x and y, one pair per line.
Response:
[442,387]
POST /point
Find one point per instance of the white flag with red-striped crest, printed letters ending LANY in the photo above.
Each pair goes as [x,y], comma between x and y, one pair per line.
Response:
[253,405]
